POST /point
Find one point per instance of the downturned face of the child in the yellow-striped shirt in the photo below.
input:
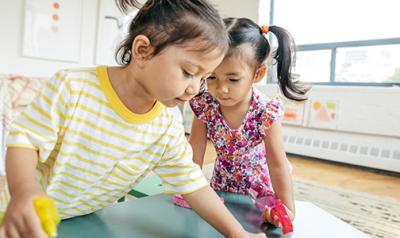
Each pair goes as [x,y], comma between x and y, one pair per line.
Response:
[174,76]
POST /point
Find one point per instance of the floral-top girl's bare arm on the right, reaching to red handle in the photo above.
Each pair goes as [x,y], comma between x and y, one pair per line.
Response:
[278,167]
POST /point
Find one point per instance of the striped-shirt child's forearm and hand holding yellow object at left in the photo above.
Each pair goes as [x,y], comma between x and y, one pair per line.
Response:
[20,219]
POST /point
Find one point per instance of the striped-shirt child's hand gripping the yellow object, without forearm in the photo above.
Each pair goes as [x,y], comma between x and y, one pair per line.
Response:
[20,219]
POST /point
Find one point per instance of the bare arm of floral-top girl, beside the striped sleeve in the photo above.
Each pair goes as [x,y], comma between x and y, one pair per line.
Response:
[198,141]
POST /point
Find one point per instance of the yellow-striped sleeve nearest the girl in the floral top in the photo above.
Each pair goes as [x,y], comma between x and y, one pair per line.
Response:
[177,169]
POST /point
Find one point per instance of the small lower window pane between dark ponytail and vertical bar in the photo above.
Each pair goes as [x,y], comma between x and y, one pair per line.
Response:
[313,66]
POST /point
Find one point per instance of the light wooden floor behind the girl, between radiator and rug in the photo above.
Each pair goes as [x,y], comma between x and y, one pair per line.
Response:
[346,176]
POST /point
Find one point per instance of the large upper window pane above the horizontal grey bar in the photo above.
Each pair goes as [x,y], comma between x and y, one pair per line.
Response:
[316,21]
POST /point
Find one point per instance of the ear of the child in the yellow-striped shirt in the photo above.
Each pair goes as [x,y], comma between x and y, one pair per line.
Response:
[141,49]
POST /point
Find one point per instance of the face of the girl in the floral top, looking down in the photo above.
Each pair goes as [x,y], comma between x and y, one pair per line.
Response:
[232,81]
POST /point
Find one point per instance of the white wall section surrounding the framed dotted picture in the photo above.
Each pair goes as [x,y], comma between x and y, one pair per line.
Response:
[11,38]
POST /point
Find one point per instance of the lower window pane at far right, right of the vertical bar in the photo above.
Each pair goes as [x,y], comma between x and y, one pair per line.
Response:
[372,64]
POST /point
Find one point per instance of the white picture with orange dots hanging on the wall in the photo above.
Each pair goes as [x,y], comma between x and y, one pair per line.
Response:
[52,29]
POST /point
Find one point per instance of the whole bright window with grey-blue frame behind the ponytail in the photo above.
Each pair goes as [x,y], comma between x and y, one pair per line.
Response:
[342,42]
